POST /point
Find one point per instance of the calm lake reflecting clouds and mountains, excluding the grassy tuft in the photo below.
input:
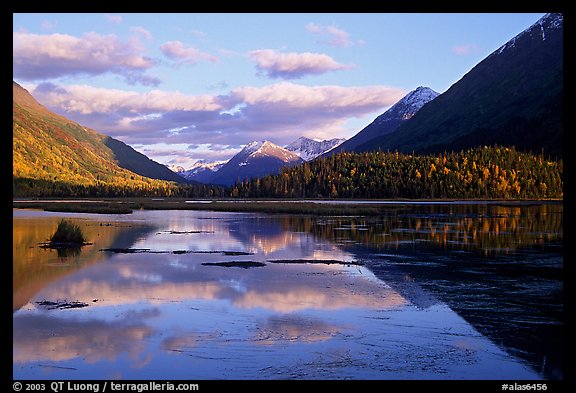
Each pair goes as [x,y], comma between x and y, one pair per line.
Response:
[423,291]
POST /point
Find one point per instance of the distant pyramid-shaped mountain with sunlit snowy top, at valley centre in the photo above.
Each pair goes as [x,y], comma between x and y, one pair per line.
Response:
[258,158]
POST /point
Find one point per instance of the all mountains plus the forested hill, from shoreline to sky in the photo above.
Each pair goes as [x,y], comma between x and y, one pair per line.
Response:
[495,133]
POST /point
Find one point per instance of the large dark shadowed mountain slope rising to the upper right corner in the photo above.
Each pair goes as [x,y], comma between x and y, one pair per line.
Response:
[512,97]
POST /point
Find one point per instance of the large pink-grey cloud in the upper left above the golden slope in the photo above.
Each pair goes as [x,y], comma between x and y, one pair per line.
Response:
[37,57]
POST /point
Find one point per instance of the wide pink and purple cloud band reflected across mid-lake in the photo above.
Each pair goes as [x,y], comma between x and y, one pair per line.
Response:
[132,279]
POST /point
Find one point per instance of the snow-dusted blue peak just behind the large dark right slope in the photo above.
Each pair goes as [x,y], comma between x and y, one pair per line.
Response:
[390,120]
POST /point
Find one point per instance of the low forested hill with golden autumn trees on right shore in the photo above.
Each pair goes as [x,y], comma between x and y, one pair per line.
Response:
[483,172]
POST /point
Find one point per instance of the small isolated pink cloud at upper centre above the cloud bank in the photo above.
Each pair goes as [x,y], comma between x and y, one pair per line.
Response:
[294,65]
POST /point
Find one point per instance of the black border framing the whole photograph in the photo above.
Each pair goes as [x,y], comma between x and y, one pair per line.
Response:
[357,6]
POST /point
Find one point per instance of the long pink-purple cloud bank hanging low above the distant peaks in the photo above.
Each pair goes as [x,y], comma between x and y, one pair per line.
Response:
[278,112]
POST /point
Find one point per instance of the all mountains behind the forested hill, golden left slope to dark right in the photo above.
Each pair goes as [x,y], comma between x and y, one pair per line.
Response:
[514,97]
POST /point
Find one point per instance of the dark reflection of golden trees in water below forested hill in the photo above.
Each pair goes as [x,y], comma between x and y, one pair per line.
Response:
[483,229]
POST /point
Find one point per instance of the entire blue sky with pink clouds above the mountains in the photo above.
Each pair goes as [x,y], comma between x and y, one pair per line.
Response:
[183,87]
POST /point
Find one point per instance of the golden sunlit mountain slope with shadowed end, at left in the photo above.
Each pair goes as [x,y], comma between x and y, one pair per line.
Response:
[51,147]
